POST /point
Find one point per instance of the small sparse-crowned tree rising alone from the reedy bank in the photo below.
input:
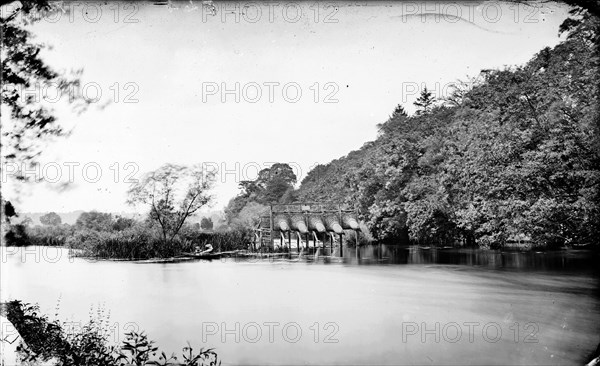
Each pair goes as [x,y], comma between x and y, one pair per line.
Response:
[174,193]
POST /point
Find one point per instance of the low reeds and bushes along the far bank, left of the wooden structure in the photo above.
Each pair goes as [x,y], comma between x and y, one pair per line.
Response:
[102,235]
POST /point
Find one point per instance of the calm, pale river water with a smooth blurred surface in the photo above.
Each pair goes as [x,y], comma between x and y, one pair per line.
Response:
[384,305]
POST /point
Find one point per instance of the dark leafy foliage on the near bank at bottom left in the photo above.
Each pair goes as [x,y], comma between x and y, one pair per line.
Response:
[46,340]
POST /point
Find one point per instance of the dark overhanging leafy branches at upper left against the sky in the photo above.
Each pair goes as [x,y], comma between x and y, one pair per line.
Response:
[31,122]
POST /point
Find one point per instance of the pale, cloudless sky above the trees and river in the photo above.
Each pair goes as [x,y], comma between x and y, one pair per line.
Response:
[254,84]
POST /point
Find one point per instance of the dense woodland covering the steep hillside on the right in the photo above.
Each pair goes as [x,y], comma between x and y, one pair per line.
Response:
[514,155]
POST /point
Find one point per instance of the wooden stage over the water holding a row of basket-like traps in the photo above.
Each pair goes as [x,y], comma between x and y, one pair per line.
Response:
[317,220]
